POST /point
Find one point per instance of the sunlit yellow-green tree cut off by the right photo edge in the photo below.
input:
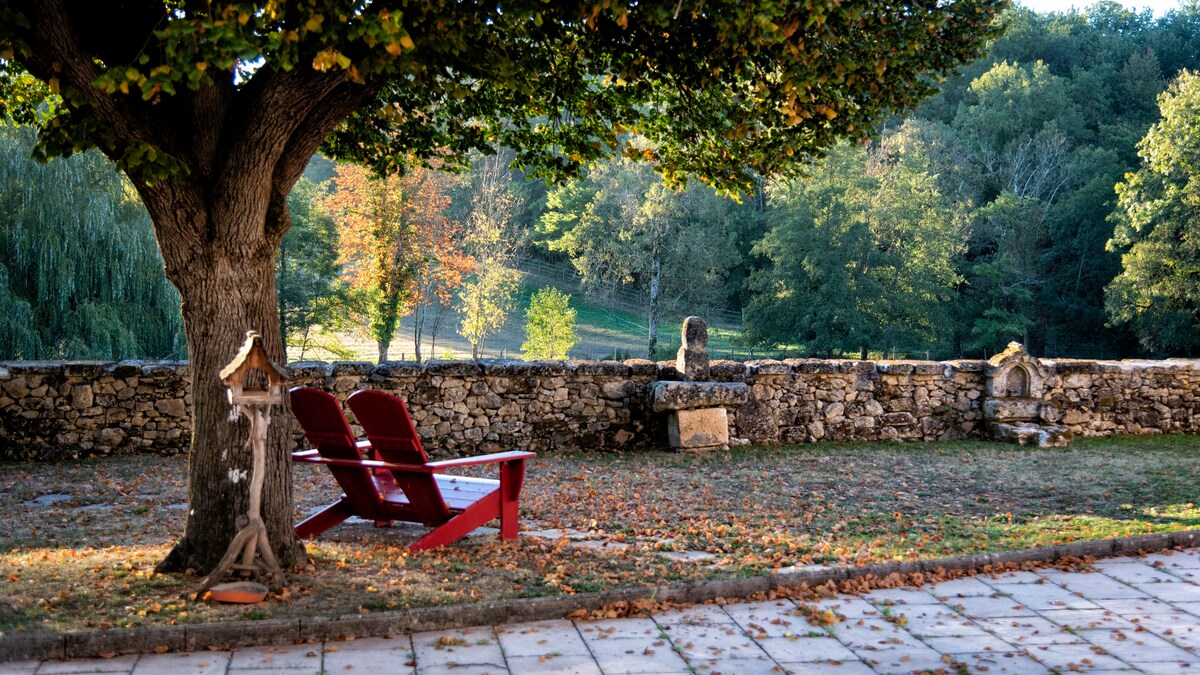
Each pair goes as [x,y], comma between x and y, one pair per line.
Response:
[1159,229]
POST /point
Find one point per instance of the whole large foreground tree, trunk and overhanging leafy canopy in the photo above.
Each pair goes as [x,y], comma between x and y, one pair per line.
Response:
[214,109]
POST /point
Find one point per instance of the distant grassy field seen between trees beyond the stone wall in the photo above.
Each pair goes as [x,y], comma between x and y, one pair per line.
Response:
[605,330]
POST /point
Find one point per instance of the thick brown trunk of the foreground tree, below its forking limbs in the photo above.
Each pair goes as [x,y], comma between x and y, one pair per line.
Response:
[229,289]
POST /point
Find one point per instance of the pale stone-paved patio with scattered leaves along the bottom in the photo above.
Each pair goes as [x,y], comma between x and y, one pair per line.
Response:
[1131,616]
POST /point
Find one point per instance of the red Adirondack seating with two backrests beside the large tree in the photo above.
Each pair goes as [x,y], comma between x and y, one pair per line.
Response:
[399,482]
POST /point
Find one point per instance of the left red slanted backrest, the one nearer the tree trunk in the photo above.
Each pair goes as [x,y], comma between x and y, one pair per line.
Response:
[325,426]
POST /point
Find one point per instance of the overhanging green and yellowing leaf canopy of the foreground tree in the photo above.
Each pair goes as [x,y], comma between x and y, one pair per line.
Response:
[717,88]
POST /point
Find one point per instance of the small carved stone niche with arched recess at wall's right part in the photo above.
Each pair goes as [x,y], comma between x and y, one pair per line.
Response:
[1013,407]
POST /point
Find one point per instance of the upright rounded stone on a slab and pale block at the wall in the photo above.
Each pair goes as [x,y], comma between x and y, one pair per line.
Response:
[697,416]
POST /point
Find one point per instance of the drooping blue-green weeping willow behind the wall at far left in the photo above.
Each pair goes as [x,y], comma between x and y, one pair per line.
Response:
[80,274]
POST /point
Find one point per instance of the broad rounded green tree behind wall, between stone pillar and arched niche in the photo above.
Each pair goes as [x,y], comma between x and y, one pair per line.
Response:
[861,255]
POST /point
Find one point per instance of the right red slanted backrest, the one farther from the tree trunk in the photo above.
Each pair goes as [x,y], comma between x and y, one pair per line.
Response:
[388,426]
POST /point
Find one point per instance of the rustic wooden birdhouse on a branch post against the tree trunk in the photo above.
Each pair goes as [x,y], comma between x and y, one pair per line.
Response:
[256,386]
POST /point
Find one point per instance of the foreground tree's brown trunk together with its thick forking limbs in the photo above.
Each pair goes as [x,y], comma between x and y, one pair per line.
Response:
[230,152]
